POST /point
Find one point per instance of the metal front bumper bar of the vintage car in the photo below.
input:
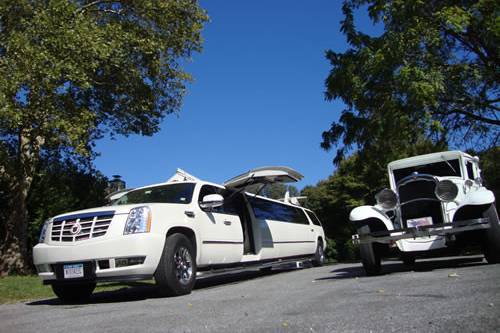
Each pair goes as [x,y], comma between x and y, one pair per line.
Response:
[443,229]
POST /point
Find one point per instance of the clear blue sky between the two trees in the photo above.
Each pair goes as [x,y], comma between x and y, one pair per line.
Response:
[257,98]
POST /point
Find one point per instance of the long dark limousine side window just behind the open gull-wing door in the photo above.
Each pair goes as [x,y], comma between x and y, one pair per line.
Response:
[268,210]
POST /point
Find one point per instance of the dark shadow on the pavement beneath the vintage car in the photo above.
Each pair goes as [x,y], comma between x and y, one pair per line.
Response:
[392,267]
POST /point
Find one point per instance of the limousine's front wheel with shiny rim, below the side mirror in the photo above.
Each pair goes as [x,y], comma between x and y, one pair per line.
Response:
[176,272]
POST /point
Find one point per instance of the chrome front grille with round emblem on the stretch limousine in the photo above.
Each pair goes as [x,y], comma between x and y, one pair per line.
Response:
[74,228]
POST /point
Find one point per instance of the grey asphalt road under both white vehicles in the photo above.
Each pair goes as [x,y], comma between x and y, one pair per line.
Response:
[446,295]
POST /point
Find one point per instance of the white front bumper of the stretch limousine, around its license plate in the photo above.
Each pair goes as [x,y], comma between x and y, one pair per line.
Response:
[49,258]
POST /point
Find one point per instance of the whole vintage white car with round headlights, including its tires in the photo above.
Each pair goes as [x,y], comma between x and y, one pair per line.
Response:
[436,201]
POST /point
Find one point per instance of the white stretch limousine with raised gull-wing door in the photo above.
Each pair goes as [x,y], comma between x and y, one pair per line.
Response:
[174,231]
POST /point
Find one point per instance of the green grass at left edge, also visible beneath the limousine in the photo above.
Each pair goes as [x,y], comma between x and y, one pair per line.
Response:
[25,288]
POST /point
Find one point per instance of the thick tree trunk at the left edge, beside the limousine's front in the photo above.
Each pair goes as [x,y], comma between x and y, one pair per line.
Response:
[14,253]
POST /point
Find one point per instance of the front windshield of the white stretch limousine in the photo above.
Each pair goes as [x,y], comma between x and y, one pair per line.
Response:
[180,193]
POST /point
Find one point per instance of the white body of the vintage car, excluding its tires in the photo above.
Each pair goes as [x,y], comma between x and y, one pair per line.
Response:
[422,222]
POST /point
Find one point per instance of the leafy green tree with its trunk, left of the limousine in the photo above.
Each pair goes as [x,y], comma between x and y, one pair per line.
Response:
[73,71]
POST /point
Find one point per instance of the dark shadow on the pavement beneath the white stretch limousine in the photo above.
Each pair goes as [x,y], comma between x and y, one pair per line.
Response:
[138,291]
